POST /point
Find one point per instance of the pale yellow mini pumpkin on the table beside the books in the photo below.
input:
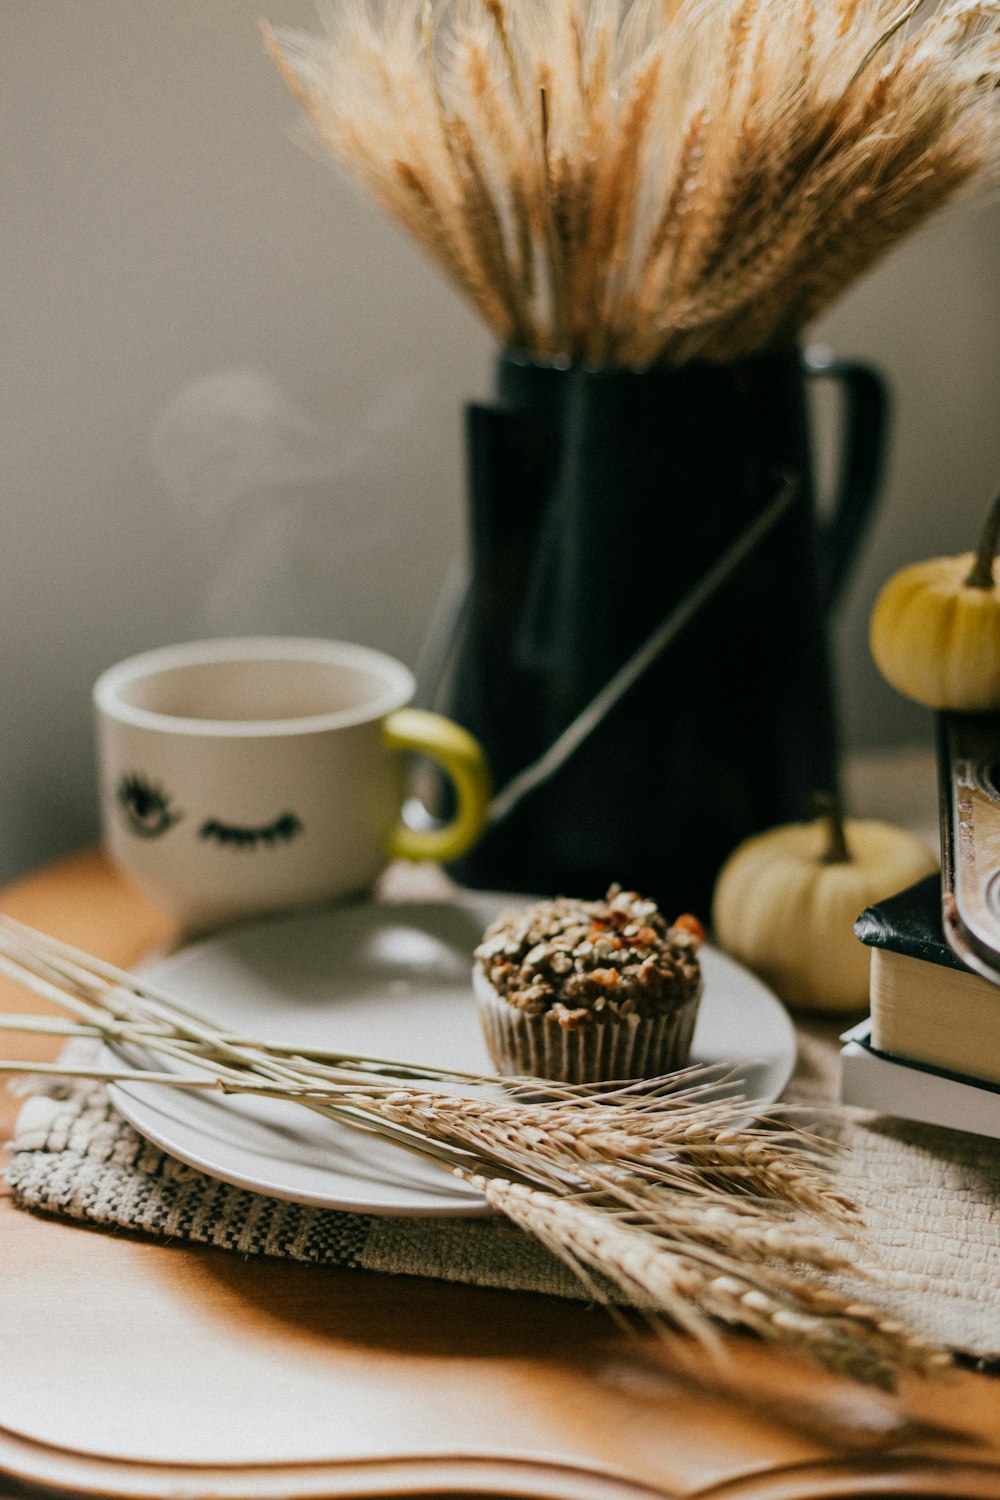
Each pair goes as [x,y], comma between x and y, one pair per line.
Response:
[786,904]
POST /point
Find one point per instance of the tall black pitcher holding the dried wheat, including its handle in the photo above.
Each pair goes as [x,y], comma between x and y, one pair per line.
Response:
[599,500]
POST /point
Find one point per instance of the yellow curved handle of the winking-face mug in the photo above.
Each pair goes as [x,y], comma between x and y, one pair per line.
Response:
[415,730]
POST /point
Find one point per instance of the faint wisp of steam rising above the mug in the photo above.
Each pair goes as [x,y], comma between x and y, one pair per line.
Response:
[290,517]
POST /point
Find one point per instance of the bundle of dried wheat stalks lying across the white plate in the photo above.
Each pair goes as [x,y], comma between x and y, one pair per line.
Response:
[653,1193]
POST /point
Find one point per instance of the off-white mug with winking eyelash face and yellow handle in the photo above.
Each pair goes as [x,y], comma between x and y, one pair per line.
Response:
[256,775]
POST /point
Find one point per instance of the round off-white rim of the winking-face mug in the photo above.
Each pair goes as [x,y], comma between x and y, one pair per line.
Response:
[400,685]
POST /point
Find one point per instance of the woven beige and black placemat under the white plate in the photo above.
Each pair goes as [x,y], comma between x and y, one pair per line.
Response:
[932,1204]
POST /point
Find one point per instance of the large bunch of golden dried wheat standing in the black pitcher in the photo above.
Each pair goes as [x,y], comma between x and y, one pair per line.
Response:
[639,182]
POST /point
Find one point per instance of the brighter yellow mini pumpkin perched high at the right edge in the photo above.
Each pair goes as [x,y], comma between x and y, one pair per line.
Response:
[936,629]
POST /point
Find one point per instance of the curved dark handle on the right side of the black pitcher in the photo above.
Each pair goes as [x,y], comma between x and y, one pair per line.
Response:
[864,446]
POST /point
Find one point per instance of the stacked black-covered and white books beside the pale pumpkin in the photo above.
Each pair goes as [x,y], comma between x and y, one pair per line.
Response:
[932,1048]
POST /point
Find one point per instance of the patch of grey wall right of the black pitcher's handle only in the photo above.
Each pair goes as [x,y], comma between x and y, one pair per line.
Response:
[930,319]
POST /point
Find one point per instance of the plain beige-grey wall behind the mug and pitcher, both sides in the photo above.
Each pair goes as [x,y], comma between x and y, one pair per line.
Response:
[230,397]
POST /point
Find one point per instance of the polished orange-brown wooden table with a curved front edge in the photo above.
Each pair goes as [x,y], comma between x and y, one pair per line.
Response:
[136,1369]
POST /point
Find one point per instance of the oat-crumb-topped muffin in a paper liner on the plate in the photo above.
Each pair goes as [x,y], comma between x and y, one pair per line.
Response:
[587,992]
